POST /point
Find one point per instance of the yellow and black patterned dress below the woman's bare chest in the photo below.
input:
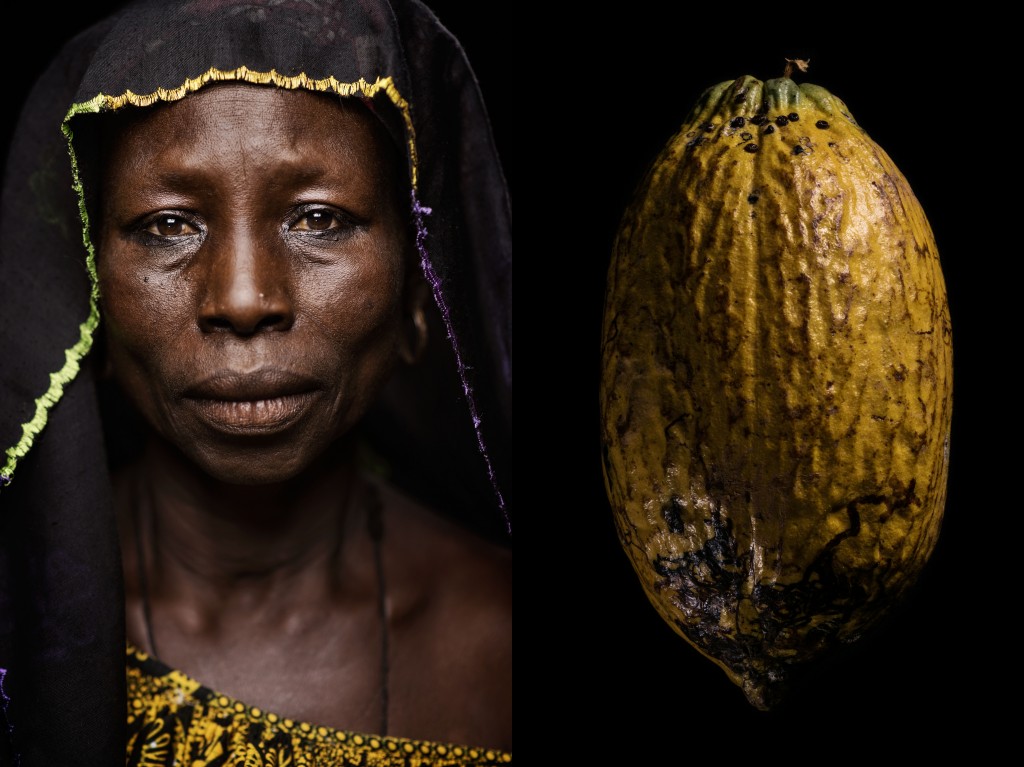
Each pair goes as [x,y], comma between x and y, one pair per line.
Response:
[175,720]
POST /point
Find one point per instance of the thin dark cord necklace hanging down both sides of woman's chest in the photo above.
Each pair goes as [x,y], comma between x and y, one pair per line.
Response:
[375,527]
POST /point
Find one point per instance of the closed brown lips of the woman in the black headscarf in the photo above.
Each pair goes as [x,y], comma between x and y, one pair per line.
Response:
[263,402]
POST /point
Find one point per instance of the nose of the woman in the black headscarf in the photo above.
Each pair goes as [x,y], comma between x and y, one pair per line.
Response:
[246,290]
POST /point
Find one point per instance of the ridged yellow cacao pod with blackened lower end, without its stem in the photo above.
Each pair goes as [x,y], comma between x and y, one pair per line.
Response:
[777,381]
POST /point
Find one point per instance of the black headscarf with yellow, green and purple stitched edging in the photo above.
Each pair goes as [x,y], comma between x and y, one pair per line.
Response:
[444,428]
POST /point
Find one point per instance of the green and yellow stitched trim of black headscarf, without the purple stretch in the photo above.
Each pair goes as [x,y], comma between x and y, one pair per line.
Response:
[102,103]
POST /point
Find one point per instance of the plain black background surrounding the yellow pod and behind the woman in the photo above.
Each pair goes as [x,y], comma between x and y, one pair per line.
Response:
[591,100]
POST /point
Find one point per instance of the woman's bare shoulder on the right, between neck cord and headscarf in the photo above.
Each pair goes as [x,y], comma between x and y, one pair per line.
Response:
[453,604]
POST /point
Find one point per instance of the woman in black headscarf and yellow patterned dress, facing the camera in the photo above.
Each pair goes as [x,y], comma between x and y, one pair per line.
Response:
[258,323]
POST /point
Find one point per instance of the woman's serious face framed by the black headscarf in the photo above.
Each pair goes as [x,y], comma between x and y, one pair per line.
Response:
[252,270]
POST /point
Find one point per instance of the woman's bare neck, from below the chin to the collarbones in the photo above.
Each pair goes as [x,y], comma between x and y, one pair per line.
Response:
[236,542]
